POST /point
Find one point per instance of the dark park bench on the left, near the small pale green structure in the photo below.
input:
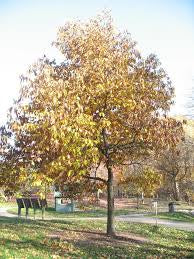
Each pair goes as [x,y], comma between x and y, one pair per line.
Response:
[34,203]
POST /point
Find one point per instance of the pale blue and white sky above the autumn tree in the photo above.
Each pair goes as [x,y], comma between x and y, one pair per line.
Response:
[162,27]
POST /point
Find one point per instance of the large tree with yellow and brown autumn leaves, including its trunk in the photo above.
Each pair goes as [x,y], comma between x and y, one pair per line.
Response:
[104,104]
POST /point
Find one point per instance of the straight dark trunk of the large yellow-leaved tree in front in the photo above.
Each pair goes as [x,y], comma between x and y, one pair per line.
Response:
[110,204]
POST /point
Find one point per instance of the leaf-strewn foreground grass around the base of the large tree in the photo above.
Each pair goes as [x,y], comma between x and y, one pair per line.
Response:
[85,239]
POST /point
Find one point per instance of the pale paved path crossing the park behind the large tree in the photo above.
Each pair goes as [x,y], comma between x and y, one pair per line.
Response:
[138,218]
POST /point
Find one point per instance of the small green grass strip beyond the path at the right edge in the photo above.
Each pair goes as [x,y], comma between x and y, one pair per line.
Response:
[178,216]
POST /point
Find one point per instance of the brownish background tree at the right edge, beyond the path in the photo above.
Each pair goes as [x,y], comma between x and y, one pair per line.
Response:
[177,166]
